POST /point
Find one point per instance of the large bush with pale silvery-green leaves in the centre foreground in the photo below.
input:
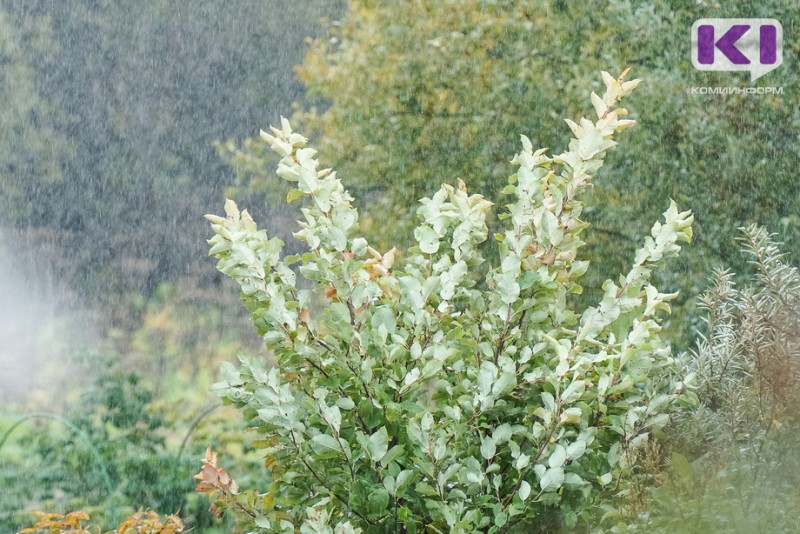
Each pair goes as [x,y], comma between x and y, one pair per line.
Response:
[444,395]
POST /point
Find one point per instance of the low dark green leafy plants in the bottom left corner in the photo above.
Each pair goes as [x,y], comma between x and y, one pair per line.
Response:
[119,420]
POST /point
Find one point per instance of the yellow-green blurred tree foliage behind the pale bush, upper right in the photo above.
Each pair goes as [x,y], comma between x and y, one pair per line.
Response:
[418,93]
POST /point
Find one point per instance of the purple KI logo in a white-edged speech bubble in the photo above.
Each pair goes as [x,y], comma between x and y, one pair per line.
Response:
[754,45]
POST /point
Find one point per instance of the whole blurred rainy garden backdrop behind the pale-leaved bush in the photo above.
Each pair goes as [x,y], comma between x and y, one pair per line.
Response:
[123,122]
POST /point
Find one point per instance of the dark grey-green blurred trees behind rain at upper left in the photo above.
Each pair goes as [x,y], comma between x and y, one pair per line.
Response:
[110,109]
